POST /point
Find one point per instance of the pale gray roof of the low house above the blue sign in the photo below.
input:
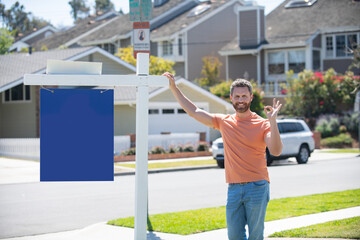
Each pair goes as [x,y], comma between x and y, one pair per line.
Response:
[14,66]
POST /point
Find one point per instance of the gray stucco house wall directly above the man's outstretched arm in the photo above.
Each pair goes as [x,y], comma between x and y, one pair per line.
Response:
[203,41]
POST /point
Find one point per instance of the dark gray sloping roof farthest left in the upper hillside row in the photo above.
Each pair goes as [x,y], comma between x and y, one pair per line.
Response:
[60,38]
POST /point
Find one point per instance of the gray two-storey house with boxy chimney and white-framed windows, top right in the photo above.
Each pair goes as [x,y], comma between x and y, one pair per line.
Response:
[297,35]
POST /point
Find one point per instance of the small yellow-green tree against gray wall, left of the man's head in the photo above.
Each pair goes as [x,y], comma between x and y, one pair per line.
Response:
[211,71]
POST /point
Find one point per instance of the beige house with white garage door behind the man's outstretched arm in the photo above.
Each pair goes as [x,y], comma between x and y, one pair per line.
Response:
[165,114]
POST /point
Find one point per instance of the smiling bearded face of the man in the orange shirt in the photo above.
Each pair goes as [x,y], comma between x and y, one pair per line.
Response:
[241,99]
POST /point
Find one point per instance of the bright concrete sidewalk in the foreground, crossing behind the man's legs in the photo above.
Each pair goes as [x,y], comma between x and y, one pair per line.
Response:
[107,232]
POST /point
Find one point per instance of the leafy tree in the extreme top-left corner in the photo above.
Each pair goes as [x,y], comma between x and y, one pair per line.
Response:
[19,21]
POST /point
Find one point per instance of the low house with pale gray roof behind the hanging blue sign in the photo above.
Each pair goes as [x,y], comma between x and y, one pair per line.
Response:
[19,104]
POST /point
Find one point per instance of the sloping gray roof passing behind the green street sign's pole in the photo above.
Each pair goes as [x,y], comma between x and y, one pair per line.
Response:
[122,24]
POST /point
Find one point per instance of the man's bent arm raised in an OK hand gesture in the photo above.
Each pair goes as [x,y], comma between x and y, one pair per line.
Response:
[272,139]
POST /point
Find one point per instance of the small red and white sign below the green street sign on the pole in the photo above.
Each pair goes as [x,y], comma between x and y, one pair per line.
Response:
[141,37]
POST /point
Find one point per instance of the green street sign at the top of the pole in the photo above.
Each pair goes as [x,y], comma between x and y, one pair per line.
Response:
[140,10]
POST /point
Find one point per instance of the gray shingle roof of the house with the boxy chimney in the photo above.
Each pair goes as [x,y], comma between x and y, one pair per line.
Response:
[296,25]
